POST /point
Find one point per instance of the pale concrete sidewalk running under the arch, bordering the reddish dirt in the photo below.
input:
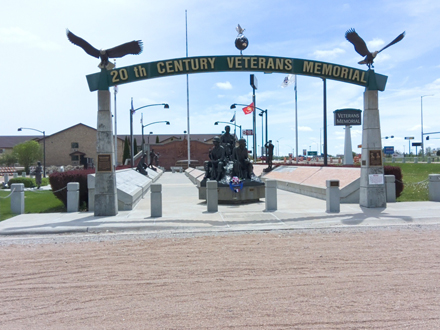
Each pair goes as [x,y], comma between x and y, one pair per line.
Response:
[184,212]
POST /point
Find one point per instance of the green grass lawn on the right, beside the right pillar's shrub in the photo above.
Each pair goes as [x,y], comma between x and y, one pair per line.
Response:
[415,180]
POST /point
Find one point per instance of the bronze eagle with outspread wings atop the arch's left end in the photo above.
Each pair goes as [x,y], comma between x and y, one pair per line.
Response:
[133,47]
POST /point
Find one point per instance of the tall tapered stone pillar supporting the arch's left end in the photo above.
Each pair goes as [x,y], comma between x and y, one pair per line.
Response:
[106,198]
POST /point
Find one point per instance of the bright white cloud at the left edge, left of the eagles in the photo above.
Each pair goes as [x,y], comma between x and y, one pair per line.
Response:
[15,35]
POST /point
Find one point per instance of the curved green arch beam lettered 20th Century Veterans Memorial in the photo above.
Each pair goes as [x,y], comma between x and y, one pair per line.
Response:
[268,64]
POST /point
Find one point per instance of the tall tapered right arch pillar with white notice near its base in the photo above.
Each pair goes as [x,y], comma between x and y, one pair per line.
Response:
[372,187]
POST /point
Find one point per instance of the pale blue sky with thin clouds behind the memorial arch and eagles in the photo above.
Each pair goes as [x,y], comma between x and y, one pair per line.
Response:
[44,87]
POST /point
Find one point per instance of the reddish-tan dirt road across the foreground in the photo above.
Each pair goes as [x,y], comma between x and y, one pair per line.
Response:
[375,279]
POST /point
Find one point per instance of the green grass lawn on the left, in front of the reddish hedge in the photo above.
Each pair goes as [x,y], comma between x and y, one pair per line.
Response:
[35,202]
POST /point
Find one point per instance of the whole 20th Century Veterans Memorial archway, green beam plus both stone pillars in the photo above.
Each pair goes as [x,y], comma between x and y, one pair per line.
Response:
[372,193]
